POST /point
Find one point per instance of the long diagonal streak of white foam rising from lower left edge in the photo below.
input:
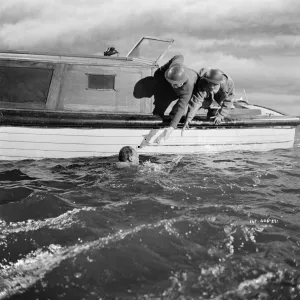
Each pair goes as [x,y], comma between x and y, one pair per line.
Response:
[19,276]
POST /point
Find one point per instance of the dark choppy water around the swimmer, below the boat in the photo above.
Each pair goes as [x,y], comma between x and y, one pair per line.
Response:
[221,226]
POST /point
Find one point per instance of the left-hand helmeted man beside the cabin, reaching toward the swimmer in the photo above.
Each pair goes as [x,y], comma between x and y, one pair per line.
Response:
[173,81]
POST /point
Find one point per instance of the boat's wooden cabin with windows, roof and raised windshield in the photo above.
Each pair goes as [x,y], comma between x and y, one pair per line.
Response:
[74,83]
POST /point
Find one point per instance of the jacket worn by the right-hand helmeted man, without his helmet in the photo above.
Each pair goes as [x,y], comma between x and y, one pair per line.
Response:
[203,97]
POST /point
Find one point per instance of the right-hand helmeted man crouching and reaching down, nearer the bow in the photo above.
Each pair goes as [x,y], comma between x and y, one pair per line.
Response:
[214,91]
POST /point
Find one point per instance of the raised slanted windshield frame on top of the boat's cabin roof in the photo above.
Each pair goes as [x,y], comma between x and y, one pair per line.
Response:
[150,50]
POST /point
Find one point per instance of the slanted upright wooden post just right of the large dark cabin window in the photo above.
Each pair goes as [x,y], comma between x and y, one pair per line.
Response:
[55,86]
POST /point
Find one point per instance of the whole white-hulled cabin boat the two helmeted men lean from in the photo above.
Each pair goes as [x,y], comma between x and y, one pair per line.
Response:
[55,105]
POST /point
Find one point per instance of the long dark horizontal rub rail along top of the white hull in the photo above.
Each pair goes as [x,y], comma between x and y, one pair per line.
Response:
[109,120]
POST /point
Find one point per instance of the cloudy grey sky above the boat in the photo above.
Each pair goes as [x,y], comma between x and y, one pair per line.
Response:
[257,42]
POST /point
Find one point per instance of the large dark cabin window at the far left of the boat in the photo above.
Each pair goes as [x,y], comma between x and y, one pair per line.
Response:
[24,85]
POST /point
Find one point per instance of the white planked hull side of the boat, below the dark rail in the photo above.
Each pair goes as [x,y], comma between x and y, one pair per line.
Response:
[18,143]
